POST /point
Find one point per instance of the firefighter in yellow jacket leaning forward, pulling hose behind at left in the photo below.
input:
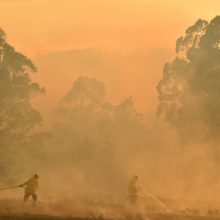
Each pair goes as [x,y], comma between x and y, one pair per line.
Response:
[31,187]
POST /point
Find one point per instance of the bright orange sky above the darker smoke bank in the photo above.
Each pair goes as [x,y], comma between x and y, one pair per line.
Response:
[40,26]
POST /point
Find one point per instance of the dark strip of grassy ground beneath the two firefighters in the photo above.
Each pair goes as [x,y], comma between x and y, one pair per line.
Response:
[74,210]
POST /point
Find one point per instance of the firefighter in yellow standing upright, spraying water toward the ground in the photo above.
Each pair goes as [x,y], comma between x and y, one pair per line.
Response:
[133,189]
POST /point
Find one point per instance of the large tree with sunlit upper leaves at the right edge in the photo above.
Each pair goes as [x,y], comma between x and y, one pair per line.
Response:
[189,92]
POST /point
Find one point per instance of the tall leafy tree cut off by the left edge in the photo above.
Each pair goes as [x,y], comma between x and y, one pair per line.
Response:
[18,119]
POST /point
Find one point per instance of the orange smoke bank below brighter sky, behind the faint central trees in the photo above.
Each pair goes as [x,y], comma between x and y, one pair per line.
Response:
[124,74]
